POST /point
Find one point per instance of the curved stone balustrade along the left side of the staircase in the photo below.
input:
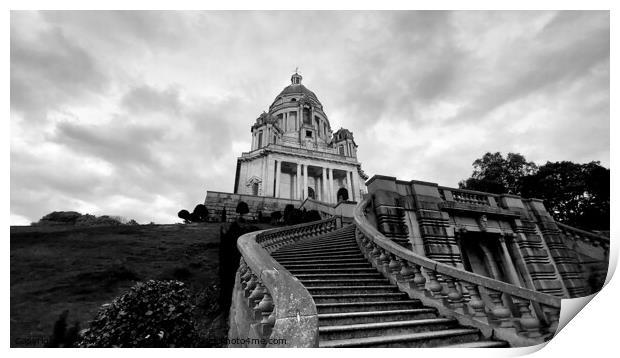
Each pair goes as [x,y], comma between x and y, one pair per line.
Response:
[281,310]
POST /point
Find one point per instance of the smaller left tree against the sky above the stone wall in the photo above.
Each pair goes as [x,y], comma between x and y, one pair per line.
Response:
[495,174]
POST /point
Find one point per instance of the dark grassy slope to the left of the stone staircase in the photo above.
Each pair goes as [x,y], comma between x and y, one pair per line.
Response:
[78,269]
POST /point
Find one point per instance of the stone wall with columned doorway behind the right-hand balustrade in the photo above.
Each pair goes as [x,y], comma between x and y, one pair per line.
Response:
[504,237]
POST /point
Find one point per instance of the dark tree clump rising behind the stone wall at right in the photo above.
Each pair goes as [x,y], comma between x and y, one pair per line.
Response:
[574,194]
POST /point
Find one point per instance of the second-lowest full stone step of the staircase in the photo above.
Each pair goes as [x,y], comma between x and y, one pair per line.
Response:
[363,330]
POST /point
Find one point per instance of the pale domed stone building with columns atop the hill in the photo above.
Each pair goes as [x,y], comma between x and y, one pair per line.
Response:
[295,154]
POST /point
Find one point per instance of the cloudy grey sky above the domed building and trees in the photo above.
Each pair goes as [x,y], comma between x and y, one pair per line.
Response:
[138,114]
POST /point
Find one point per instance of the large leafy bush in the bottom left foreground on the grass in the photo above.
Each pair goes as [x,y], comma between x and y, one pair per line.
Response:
[151,314]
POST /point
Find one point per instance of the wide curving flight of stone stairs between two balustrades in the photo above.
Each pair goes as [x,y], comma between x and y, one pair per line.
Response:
[358,307]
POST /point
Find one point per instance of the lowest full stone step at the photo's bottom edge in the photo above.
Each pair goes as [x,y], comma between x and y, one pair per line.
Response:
[419,340]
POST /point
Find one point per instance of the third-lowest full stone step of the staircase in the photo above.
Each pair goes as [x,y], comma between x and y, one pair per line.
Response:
[347,318]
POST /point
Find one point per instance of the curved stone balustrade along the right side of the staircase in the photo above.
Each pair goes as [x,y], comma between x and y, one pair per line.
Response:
[518,315]
